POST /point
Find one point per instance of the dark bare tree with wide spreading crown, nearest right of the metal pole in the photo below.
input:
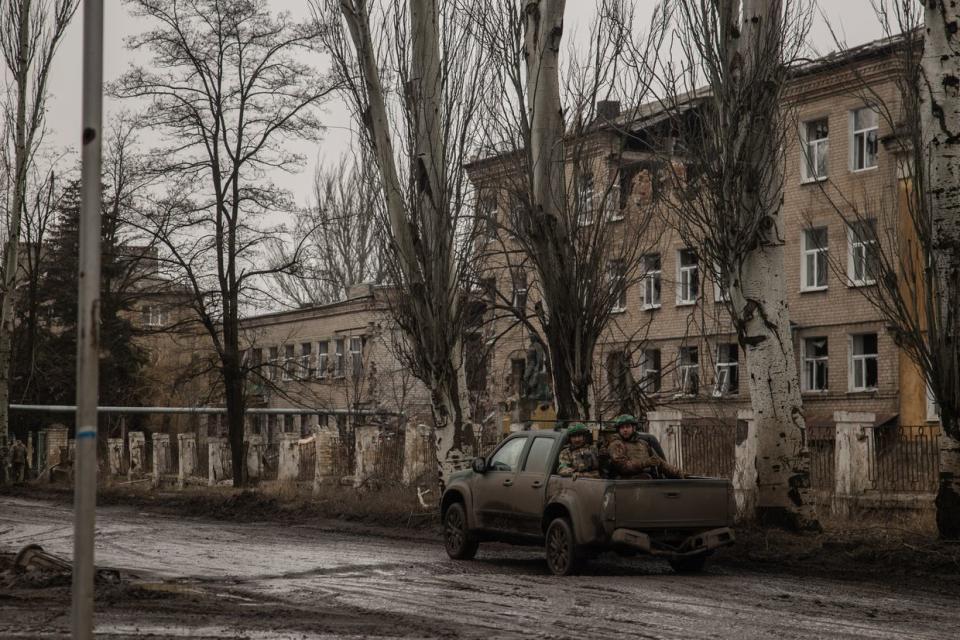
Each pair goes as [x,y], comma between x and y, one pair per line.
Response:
[228,86]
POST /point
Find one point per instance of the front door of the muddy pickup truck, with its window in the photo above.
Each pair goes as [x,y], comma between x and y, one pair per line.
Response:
[492,489]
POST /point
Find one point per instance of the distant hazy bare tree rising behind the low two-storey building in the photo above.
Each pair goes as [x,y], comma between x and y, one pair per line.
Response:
[342,233]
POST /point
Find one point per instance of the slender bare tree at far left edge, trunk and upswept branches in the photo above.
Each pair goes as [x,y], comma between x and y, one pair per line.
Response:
[30,32]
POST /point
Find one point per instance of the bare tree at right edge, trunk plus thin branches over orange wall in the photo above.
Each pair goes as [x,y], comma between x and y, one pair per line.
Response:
[912,229]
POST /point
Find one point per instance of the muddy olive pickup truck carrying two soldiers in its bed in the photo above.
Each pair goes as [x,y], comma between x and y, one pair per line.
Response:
[514,495]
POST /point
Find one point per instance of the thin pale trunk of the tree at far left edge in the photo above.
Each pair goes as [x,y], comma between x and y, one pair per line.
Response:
[11,255]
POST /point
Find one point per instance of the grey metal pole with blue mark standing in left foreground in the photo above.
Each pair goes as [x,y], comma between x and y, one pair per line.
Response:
[88,323]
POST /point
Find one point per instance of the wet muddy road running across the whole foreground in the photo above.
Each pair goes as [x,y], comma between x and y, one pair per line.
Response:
[207,579]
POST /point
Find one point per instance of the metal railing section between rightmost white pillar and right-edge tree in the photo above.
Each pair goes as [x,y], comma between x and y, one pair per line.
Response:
[904,458]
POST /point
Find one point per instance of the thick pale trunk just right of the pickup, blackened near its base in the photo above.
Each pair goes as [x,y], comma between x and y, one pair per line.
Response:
[759,303]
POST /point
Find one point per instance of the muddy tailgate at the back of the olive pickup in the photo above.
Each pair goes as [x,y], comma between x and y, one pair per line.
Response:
[699,502]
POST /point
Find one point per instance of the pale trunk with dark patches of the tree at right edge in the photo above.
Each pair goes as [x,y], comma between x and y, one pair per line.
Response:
[941,131]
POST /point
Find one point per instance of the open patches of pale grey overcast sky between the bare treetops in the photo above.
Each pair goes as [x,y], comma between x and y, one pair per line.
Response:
[853,18]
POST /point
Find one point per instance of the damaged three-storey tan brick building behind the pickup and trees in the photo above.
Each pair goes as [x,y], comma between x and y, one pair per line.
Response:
[670,333]
